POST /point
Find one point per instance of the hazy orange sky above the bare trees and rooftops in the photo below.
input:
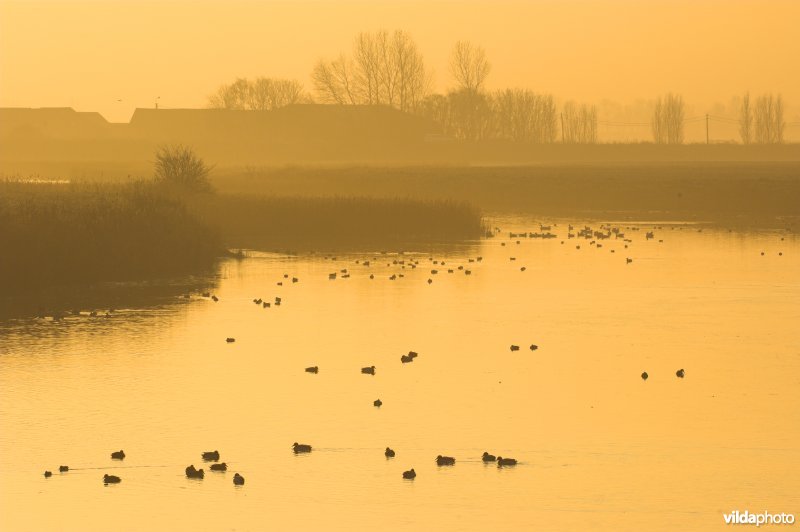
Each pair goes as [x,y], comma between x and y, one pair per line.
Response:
[90,54]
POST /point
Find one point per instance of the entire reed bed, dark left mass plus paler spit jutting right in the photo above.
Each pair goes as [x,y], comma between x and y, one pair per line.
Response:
[72,233]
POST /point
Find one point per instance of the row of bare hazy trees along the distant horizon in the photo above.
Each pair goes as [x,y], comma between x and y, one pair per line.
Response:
[389,69]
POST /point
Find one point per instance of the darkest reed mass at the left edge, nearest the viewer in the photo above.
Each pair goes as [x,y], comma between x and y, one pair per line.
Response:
[74,233]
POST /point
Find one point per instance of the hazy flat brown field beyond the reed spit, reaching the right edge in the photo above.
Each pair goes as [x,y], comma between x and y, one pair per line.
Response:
[755,193]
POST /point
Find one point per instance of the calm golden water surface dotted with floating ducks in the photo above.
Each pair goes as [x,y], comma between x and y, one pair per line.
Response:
[598,447]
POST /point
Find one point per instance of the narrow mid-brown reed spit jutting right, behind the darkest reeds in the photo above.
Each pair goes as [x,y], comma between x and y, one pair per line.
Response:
[336,222]
